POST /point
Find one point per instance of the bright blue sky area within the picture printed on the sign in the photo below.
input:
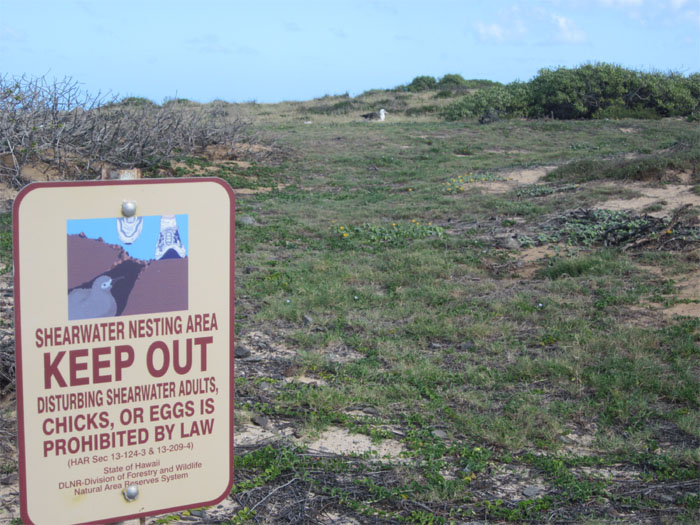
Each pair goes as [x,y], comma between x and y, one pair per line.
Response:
[144,247]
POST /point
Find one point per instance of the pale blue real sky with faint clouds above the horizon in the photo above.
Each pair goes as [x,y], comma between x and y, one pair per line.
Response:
[274,50]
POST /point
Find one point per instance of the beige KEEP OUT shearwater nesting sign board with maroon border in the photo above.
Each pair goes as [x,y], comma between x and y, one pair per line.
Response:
[124,294]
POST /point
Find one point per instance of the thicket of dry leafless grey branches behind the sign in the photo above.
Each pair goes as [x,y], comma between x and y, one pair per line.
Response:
[58,126]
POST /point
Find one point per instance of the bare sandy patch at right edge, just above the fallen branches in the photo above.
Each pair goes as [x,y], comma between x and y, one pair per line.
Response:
[669,197]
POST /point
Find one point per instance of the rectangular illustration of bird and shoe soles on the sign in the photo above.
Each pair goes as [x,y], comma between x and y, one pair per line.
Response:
[127,266]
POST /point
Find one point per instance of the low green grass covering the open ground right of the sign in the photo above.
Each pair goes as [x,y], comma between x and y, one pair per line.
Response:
[389,291]
